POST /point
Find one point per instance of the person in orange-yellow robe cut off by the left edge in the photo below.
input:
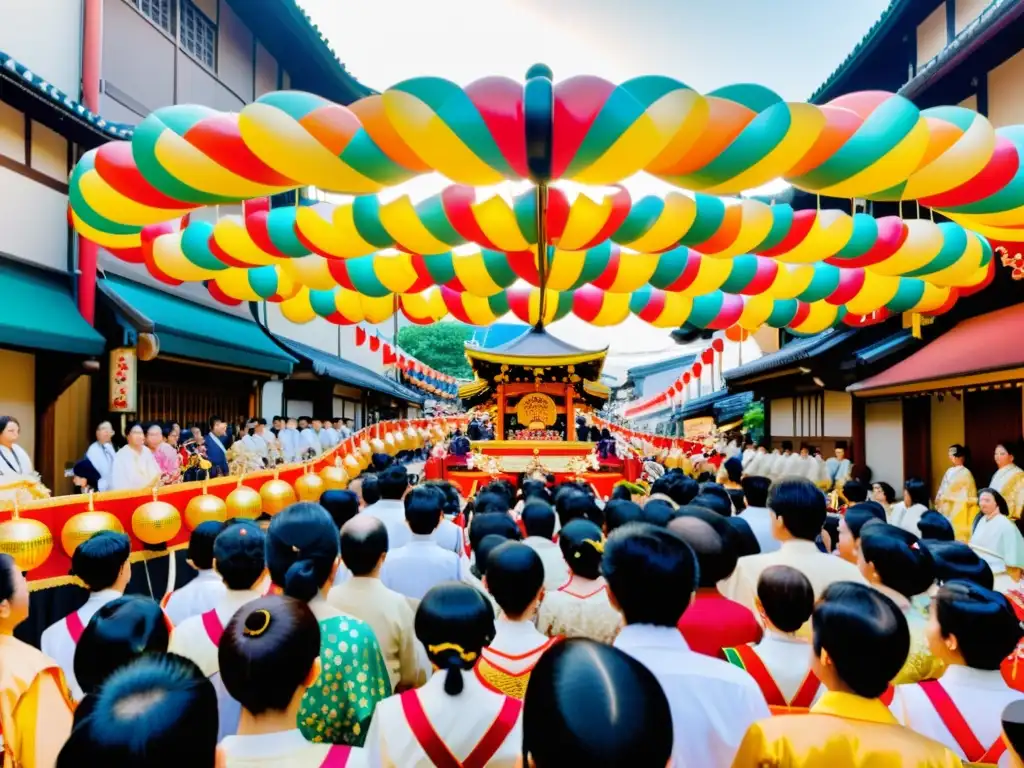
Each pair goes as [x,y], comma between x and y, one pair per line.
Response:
[36,706]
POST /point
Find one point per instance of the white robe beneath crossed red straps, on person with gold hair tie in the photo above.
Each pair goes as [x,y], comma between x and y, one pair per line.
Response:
[460,721]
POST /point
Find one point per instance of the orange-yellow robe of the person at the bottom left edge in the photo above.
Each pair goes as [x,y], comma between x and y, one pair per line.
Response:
[35,706]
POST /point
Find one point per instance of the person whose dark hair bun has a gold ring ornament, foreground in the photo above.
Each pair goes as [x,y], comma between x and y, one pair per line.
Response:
[269,657]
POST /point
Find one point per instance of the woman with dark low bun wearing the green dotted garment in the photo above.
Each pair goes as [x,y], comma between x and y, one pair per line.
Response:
[303,549]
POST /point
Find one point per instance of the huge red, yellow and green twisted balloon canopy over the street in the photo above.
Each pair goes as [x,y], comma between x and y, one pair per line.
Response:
[682,257]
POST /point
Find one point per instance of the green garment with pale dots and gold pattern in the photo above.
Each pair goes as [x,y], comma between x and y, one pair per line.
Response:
[337,709]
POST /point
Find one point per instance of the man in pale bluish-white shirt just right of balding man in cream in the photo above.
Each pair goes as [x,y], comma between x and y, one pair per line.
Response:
[420,565]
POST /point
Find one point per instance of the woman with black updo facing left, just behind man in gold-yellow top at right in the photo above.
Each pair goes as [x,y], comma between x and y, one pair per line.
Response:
[894,563]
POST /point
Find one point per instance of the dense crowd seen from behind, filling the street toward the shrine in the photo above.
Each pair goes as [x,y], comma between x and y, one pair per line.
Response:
[398,624]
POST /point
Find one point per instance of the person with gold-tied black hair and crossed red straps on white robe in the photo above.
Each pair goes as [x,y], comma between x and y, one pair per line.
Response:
[455,719]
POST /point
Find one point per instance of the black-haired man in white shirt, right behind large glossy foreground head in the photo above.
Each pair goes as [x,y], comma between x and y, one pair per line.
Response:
[652,575]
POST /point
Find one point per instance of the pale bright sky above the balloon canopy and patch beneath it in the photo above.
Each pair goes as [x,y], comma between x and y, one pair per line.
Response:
[791,47]
